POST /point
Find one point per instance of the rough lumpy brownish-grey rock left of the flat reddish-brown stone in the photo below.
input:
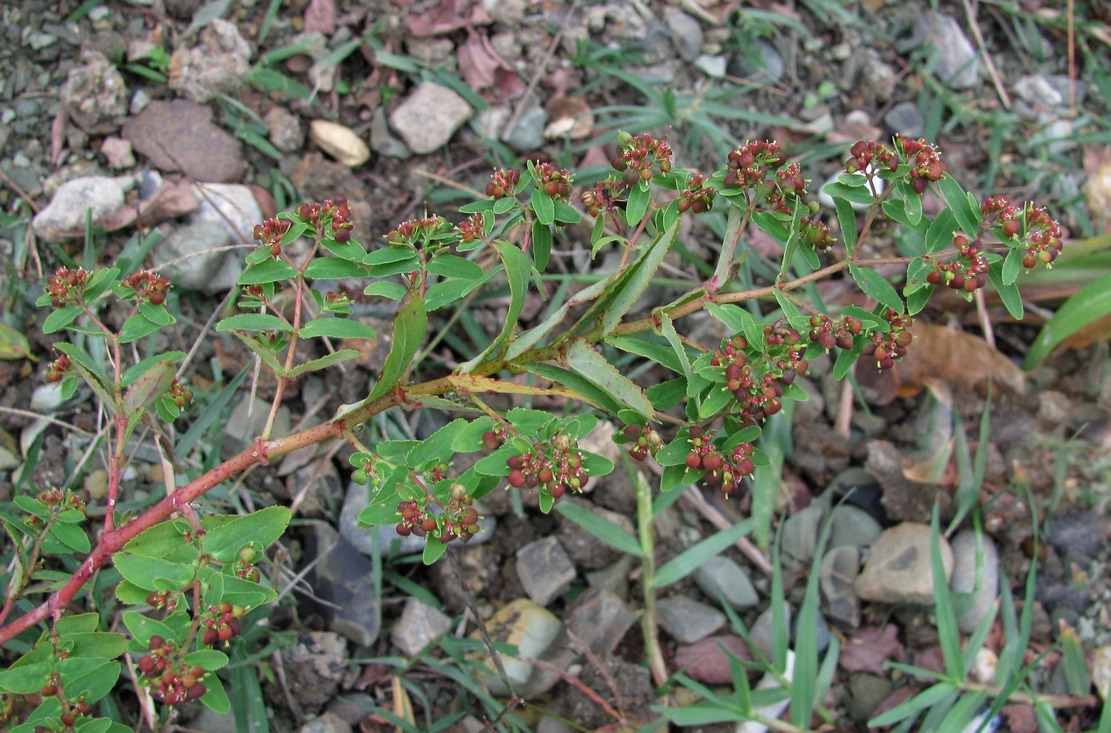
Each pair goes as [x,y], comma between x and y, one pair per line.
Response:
[95,95]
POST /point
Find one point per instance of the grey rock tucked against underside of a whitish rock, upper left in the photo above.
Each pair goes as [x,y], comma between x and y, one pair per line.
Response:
[193,255]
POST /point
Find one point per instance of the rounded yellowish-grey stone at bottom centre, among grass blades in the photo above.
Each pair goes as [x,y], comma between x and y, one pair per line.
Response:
[526,626]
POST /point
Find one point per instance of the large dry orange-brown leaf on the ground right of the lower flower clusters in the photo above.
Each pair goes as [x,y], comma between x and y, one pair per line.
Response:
[960,359]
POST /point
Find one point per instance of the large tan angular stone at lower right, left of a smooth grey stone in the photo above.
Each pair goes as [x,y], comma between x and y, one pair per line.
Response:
[898,568]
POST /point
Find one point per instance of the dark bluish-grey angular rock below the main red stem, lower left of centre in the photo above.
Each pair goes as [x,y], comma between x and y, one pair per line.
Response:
[344,580]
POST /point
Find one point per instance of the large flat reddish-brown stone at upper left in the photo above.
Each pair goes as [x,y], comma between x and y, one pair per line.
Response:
[181,136]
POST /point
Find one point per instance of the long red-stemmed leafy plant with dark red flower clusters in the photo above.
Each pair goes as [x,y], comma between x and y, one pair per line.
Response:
[193,580]
